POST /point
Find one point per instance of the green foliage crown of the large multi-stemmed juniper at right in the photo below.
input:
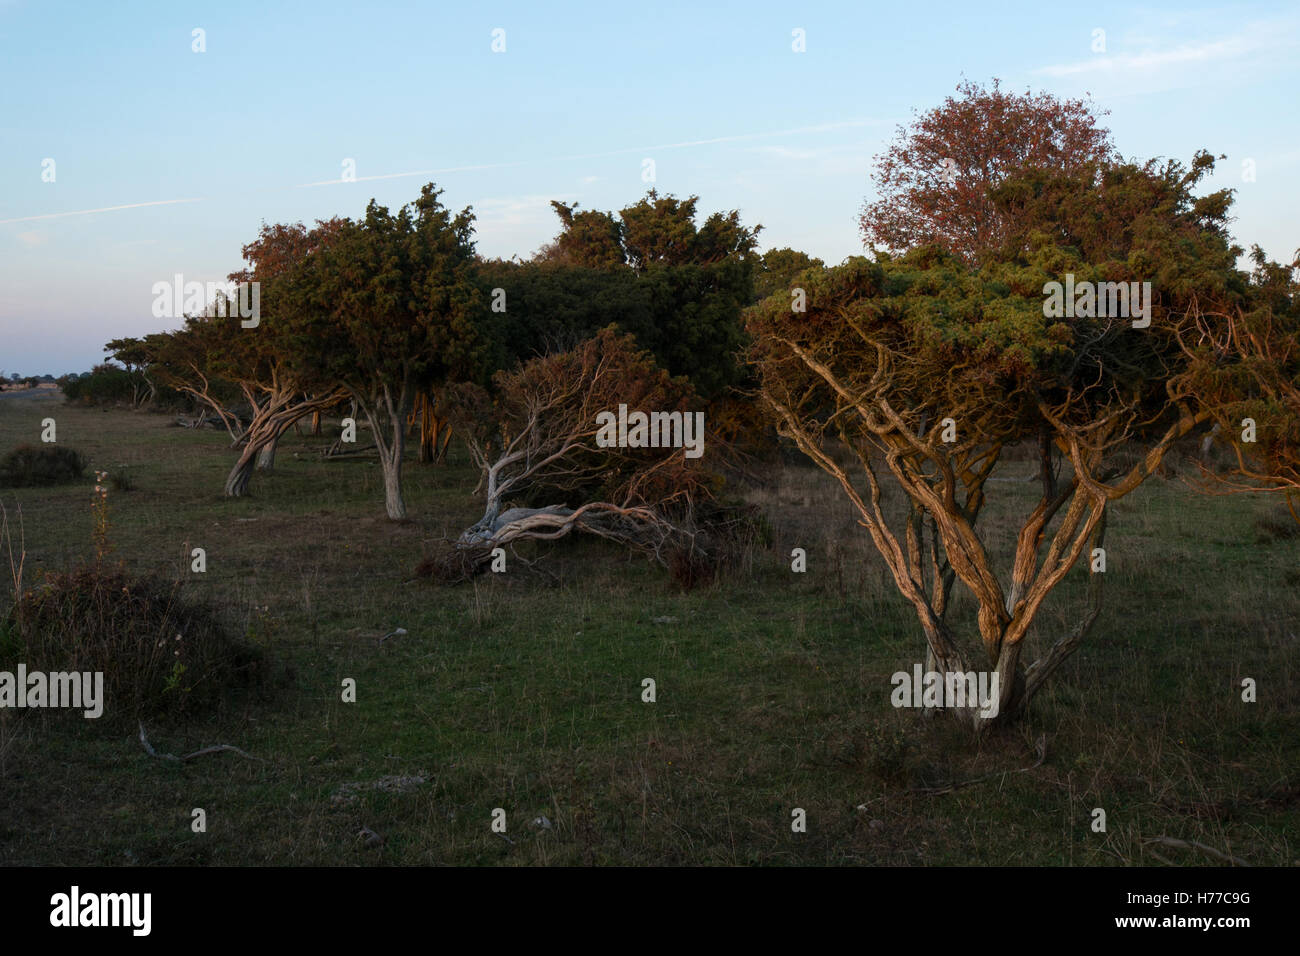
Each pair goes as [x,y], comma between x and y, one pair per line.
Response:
[973,343]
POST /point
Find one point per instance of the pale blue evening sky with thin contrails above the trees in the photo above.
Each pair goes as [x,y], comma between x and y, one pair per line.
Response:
[129,155]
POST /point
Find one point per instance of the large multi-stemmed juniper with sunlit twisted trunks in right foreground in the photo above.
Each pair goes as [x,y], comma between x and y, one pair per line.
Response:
[928,370]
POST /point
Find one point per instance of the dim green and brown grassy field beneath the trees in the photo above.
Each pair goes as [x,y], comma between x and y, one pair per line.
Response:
[523,691]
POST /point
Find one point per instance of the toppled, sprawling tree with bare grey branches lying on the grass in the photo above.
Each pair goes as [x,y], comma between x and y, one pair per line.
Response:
[540,440]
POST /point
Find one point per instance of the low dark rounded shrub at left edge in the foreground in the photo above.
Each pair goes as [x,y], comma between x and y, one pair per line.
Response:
[158,651]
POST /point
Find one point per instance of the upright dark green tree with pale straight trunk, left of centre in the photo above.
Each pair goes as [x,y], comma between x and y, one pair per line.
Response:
[392,310]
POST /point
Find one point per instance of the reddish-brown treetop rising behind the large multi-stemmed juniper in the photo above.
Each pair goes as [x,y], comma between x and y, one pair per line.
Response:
[934,181]
